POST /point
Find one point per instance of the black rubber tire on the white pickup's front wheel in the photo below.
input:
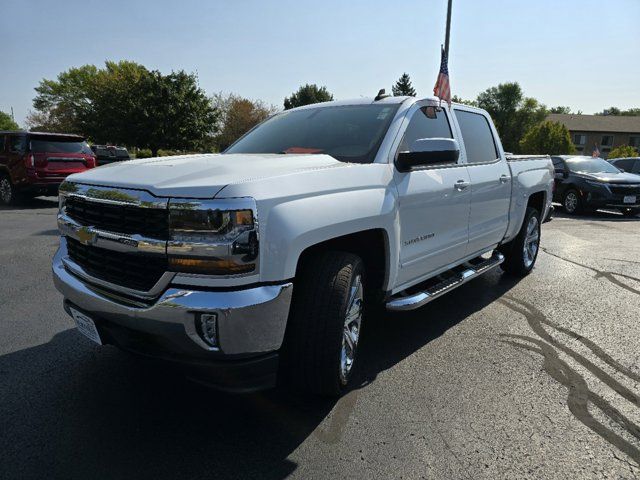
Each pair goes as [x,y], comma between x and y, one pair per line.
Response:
[313,346]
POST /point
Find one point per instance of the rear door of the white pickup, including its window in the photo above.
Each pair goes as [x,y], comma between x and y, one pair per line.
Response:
[490,180]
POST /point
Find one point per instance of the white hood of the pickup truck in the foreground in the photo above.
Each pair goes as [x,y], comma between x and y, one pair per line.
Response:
[200,176]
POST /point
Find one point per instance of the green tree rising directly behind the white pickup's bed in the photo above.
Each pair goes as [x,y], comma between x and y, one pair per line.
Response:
[512,112]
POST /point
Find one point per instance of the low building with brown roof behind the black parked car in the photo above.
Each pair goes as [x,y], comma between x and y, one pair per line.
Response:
[603,131]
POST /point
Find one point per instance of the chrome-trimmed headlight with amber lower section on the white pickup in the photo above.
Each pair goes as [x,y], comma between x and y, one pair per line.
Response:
[213,237]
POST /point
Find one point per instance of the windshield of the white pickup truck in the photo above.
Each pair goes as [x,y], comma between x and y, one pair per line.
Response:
[349,133]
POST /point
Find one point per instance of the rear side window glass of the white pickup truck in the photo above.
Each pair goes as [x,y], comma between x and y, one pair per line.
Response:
[477,137]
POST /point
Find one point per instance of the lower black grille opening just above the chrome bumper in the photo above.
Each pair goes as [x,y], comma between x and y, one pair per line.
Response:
[136,271]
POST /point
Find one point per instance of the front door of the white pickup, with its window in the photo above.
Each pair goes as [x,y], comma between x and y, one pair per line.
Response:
[433,202]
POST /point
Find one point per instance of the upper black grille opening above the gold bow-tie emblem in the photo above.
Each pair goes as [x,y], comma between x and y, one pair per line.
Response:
[128,219]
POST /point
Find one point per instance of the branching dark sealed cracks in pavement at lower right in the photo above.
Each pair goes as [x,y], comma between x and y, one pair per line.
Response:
[579,395]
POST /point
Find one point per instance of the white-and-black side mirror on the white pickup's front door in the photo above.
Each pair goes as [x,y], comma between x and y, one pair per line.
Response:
[429,151]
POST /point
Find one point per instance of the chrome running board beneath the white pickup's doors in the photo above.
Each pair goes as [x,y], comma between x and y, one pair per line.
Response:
[417,300]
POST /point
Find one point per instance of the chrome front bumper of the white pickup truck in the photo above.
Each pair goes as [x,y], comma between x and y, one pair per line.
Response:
[249,321]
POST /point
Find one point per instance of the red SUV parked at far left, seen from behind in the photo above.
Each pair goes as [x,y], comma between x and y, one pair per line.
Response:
[34,163]
